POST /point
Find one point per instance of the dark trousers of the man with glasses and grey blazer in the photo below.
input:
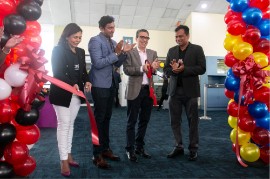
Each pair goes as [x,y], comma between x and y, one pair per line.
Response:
[138,109]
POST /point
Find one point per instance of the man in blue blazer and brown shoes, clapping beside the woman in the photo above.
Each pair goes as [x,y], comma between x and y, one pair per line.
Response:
[105,53]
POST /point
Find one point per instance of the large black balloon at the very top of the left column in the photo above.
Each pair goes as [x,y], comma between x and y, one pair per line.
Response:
[30,10]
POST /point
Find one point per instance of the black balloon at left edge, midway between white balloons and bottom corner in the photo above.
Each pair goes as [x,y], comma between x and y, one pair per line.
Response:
[7,133]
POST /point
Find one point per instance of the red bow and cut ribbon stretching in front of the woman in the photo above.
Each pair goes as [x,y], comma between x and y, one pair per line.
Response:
[34,64]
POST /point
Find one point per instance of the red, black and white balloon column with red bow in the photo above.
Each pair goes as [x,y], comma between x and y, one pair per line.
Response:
[20,86]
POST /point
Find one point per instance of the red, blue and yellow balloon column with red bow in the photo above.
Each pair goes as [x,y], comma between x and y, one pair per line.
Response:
[247,83]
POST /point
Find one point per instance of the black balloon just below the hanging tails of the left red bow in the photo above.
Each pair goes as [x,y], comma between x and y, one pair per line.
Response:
[25,118]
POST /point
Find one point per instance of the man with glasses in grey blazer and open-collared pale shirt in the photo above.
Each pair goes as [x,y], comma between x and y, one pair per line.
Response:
[139,102]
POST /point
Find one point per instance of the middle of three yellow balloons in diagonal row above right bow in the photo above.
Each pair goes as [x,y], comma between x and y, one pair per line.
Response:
[242,50]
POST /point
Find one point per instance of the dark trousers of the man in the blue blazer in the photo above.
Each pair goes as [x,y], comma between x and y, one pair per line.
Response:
[103,102]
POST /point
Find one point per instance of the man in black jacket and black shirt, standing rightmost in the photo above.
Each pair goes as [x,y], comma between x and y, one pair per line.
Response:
[184,63]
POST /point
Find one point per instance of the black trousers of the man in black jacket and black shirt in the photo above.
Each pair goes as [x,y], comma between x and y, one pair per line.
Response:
[176,103]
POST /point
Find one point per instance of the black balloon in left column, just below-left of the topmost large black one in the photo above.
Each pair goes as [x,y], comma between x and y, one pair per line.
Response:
[14,24]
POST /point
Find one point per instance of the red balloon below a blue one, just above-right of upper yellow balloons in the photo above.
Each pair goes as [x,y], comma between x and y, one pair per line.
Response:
[252,35]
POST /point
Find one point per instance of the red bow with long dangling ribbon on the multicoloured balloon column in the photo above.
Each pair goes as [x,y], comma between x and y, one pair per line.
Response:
[252,78]
